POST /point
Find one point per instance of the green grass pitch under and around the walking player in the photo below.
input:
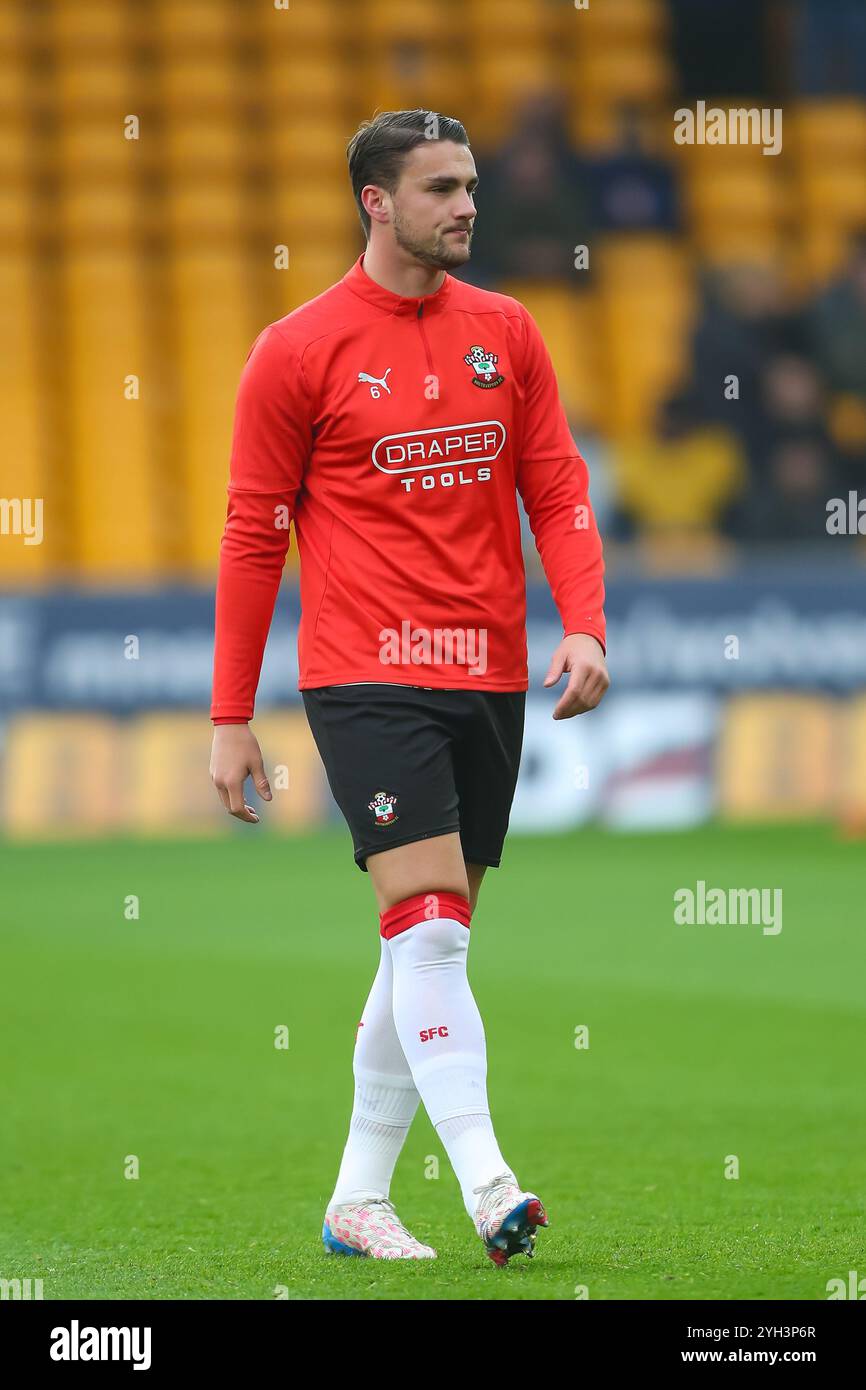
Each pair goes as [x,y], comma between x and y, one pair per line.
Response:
[155,1038]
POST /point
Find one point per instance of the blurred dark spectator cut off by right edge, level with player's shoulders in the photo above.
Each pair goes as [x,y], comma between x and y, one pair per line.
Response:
[839,325]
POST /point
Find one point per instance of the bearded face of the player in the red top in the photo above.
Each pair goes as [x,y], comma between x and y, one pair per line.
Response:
[433,206]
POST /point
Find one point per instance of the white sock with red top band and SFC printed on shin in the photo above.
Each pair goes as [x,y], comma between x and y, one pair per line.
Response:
[441,1032]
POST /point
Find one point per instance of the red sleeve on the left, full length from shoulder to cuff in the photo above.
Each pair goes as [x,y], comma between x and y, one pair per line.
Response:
[272,444]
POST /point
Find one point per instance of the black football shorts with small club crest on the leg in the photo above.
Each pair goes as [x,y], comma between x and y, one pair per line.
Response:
[408,764]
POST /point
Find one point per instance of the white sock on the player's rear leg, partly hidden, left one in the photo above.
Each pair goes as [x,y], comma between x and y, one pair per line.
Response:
[386,1097]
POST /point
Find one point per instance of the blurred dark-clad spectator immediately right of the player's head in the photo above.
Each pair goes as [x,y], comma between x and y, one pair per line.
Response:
[532,206]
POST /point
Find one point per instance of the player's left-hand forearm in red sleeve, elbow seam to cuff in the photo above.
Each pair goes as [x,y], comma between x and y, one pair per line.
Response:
[252,555]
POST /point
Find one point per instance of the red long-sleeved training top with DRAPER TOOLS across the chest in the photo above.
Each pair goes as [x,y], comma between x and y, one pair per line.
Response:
[395,433]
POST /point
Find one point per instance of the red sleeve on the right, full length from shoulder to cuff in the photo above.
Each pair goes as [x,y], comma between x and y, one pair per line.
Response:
[554,483]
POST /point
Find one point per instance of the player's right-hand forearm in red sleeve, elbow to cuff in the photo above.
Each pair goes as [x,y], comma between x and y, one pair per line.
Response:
[566,536]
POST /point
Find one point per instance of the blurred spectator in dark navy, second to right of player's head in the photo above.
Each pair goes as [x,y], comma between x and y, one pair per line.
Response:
[632,188]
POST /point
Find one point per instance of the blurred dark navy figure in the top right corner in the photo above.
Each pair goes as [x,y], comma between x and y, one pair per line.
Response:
[831,48]
